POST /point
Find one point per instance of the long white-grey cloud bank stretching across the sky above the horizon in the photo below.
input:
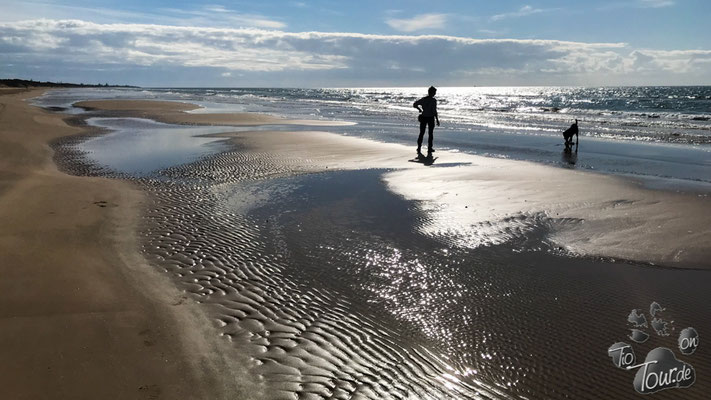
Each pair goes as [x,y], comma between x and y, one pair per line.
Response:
[162,55]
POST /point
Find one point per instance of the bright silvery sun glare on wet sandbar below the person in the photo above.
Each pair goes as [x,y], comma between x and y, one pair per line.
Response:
[467,209]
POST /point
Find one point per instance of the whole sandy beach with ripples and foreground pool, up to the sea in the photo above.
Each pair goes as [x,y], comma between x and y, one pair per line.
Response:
[334,267]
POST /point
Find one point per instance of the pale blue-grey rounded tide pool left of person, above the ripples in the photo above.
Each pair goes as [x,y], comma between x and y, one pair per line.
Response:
[140,146]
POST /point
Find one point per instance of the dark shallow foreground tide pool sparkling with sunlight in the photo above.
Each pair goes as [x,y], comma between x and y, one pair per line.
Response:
[518,315]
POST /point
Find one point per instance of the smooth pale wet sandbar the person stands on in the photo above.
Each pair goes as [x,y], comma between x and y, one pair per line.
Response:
[592,214]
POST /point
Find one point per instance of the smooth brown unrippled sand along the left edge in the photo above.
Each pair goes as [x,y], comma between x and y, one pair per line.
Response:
[82,315]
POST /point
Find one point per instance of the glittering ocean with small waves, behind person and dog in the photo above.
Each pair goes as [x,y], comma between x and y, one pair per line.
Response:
[659,135]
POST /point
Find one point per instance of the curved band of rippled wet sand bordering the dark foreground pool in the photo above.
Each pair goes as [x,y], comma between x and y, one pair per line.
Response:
[306,342]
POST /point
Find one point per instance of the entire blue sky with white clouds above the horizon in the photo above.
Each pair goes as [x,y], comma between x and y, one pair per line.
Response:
[335,43]
